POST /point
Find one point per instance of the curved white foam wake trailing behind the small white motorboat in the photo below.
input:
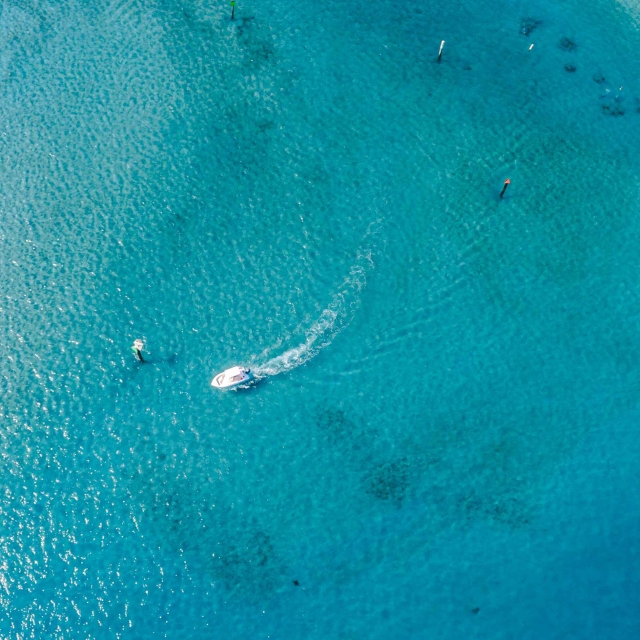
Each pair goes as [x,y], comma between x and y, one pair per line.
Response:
[331,322]
